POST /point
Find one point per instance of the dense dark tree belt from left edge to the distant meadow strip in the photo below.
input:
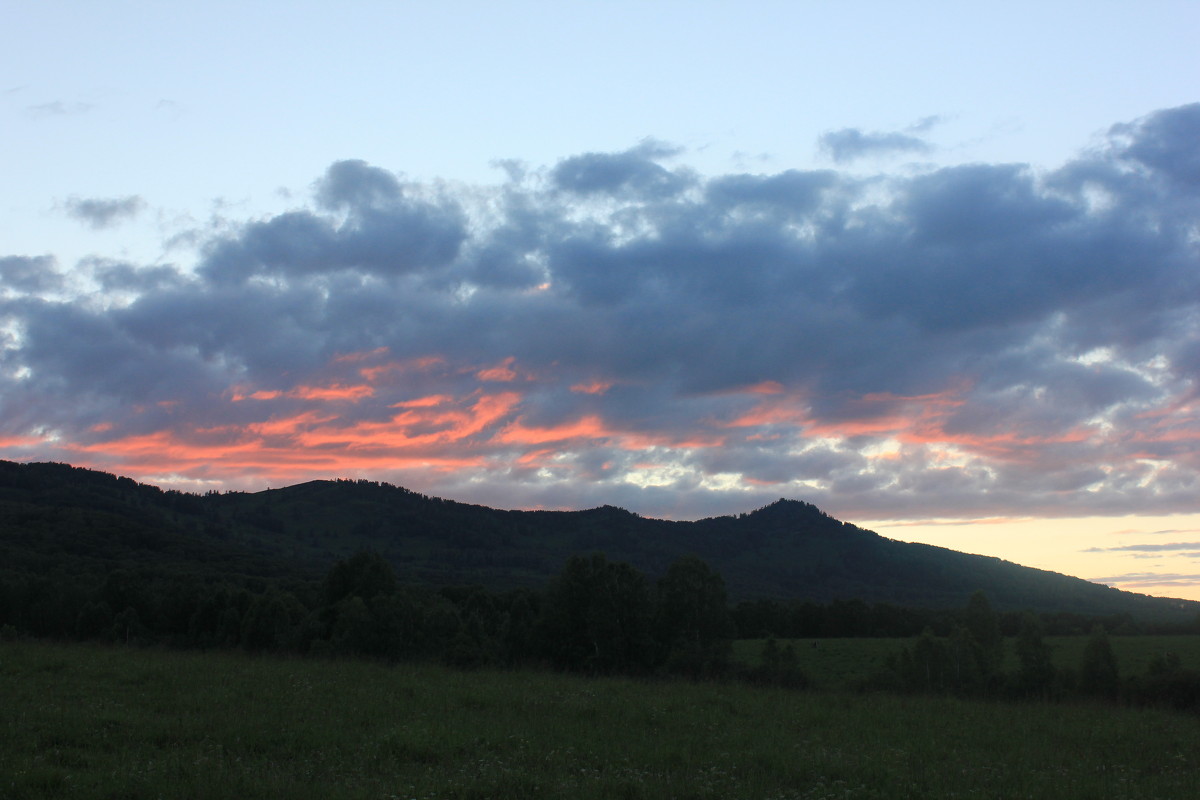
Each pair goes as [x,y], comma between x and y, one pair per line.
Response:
[597,616]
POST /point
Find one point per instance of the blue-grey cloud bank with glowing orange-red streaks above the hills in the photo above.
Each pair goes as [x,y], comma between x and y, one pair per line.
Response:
[965,342]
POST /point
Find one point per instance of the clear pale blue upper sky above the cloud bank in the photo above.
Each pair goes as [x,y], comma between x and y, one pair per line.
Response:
[188,105]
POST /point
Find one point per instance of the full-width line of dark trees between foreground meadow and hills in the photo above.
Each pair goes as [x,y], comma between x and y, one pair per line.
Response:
[597,617]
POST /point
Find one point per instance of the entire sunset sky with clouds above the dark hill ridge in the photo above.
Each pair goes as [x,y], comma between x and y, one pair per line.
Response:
[932,267]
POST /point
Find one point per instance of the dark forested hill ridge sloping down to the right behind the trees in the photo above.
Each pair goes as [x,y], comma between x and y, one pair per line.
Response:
[64,520]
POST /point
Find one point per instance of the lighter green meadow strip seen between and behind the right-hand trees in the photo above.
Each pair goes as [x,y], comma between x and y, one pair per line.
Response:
[841,664]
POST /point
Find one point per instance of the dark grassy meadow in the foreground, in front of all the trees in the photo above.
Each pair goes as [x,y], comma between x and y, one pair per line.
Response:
[80,721]
